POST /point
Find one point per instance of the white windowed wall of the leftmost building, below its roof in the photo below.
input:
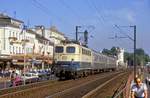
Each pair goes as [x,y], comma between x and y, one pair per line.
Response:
[5,33]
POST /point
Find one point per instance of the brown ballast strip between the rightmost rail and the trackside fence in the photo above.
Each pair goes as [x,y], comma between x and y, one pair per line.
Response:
[109,88]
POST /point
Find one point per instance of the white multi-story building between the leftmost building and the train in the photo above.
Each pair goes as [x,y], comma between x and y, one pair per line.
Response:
[38,49]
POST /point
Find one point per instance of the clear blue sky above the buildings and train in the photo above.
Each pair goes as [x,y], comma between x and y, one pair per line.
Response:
[99,17]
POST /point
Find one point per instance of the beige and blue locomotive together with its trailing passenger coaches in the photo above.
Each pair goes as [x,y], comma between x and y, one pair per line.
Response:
[73,60]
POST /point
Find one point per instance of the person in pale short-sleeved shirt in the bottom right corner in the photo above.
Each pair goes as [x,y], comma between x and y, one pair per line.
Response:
[139,89]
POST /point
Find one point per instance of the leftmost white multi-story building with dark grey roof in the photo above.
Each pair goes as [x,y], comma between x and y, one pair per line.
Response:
[10,30]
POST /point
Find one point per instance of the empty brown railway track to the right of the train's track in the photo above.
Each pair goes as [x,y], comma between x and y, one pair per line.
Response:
[81,90]
